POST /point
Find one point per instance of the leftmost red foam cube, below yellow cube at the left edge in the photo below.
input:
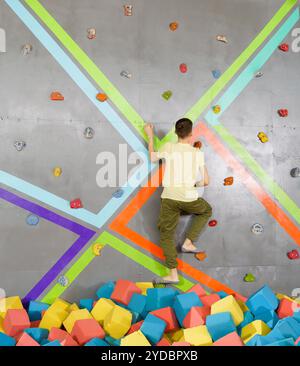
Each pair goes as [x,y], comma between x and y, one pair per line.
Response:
[15,321]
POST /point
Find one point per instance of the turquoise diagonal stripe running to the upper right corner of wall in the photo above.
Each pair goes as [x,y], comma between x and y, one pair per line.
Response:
[254,66]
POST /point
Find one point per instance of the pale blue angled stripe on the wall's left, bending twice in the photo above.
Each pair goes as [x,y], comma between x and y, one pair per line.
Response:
[85,85]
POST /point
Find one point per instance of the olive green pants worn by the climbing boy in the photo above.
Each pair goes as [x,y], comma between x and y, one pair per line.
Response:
[170,212]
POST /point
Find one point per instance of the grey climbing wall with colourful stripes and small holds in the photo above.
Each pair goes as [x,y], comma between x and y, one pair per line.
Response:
[47,248]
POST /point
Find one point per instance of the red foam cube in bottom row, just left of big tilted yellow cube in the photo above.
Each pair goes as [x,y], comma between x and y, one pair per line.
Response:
[86,329]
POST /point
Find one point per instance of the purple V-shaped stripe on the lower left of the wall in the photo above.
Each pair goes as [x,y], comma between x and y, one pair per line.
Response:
[84,233]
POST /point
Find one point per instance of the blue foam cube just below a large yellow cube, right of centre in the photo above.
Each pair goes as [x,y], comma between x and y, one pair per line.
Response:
[219,325]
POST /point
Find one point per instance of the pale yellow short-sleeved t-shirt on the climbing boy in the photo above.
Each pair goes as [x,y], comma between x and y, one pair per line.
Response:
[183,163]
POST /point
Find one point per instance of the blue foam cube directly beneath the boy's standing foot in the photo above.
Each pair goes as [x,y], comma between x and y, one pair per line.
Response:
[158,298]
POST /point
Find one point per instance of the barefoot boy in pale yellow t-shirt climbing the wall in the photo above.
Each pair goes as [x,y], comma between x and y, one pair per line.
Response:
[183,164]
